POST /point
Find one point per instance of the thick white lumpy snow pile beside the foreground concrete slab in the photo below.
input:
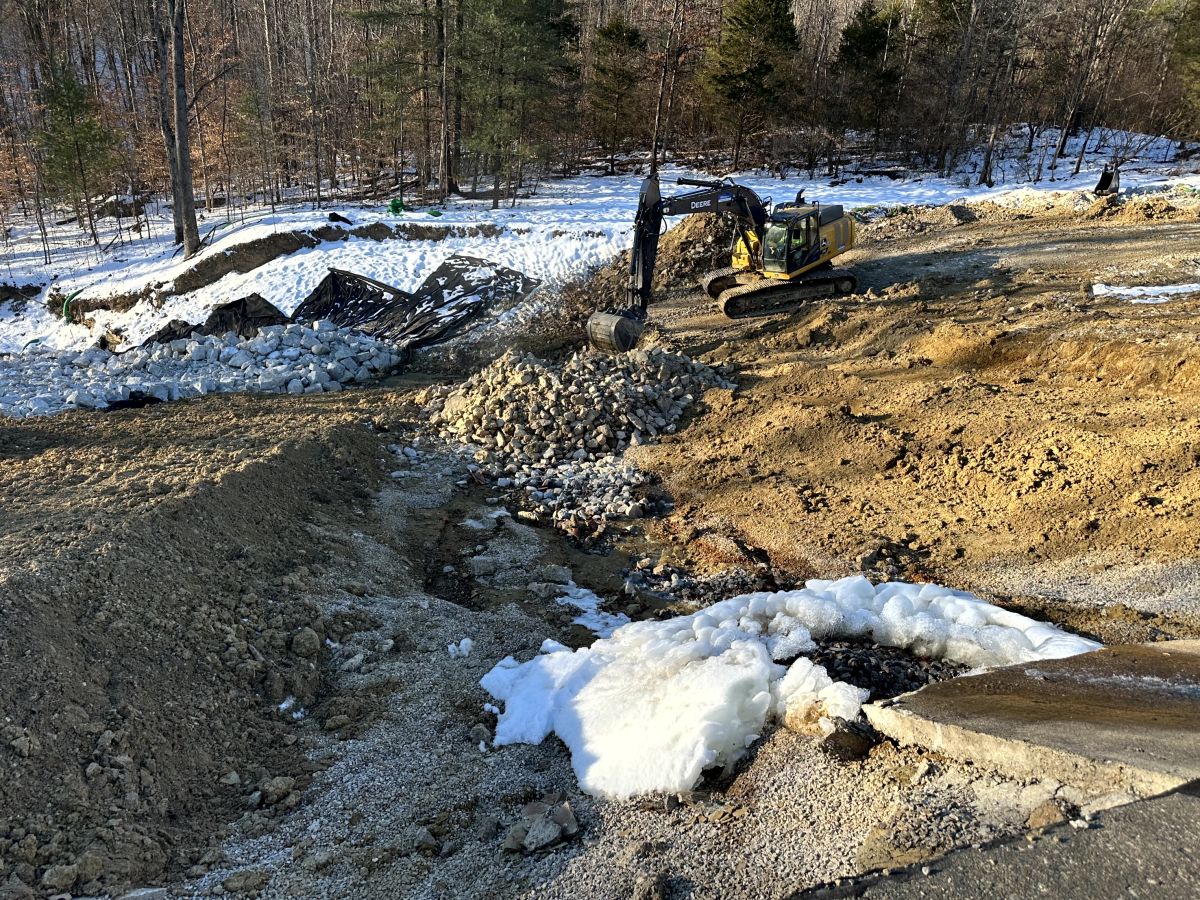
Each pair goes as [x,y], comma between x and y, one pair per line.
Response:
[659,703]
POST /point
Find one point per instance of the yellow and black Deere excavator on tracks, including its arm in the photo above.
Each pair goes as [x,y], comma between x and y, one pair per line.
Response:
[782,256]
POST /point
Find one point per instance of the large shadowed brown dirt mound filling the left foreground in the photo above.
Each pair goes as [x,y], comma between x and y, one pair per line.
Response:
[154,617]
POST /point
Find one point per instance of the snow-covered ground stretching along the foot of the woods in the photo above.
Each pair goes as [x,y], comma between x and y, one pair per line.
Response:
[568,227]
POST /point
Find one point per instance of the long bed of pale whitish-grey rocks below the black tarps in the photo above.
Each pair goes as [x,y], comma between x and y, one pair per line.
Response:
[295,359]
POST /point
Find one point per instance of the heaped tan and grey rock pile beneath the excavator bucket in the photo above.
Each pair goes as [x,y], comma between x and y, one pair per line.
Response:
[557,430]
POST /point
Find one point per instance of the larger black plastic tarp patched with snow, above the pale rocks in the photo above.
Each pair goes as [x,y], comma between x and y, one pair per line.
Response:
[451,298]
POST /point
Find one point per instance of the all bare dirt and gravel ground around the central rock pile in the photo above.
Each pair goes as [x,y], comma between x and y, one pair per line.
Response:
[224,659]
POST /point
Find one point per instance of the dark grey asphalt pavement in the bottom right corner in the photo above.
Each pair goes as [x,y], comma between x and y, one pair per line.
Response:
[1144,850]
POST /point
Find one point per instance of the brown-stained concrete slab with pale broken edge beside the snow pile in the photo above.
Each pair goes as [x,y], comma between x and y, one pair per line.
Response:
[1120,719]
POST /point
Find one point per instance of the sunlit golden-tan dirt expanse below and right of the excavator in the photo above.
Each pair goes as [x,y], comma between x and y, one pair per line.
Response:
[973,417]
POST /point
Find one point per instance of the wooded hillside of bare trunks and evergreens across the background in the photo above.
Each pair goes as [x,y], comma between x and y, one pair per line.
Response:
[236,101]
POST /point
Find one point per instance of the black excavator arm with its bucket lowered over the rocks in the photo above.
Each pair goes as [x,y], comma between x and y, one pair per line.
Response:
[620,331]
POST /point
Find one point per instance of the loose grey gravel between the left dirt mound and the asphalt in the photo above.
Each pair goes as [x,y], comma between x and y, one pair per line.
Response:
[410,805]
